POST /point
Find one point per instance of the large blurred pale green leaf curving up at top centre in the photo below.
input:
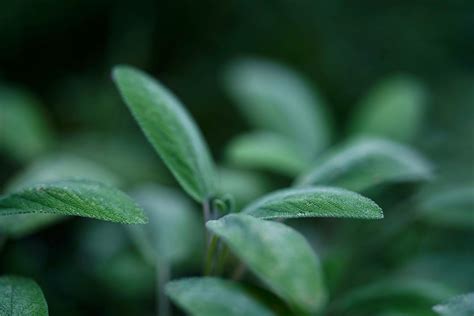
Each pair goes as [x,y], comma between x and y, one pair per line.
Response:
[275,98]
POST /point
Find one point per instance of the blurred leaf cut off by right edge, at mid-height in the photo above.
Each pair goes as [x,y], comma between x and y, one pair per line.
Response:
[452,207]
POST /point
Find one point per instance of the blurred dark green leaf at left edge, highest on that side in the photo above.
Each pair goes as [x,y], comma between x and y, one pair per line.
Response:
[24,130]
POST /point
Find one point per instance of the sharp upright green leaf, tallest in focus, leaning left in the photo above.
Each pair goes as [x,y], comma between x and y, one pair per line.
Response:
[170,130]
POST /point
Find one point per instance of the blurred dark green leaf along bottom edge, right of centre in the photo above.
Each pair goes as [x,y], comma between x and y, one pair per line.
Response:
[394,292]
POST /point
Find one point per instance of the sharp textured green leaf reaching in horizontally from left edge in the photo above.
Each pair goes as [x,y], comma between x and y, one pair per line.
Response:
[74,197]
